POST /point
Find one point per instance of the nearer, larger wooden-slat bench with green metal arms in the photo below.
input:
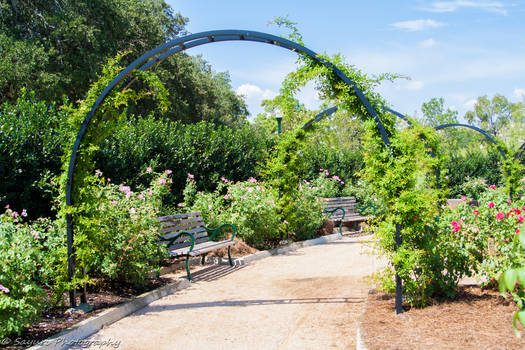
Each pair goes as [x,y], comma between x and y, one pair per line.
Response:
[185,235]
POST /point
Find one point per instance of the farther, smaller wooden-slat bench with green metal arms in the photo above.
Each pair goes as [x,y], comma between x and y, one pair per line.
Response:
[345,210]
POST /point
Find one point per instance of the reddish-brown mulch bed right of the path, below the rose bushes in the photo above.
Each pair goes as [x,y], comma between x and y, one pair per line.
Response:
[477,319]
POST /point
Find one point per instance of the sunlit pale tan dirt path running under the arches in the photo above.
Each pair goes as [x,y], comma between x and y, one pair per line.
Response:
[307,299]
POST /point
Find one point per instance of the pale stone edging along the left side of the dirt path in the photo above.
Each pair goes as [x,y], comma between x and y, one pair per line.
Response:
[75,334]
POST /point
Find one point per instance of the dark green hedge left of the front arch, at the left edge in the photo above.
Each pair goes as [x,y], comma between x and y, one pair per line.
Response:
[31,136]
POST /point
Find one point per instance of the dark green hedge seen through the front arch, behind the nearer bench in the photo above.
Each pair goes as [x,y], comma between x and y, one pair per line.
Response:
[204,149]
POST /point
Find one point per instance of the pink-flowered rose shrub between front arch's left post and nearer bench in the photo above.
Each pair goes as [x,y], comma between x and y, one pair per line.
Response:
[126,247]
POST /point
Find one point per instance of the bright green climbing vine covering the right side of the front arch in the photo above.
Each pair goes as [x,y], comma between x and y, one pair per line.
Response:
[402,173]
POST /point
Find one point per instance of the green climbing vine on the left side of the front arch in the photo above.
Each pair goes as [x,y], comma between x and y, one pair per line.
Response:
[85,211]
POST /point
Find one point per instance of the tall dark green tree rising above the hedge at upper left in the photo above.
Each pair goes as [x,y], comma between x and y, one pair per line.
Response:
[57,48]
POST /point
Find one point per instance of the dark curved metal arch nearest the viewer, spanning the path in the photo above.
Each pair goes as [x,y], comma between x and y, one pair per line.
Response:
[165,50]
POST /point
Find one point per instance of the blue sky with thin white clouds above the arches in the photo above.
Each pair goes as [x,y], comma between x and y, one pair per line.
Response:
[457,50]
